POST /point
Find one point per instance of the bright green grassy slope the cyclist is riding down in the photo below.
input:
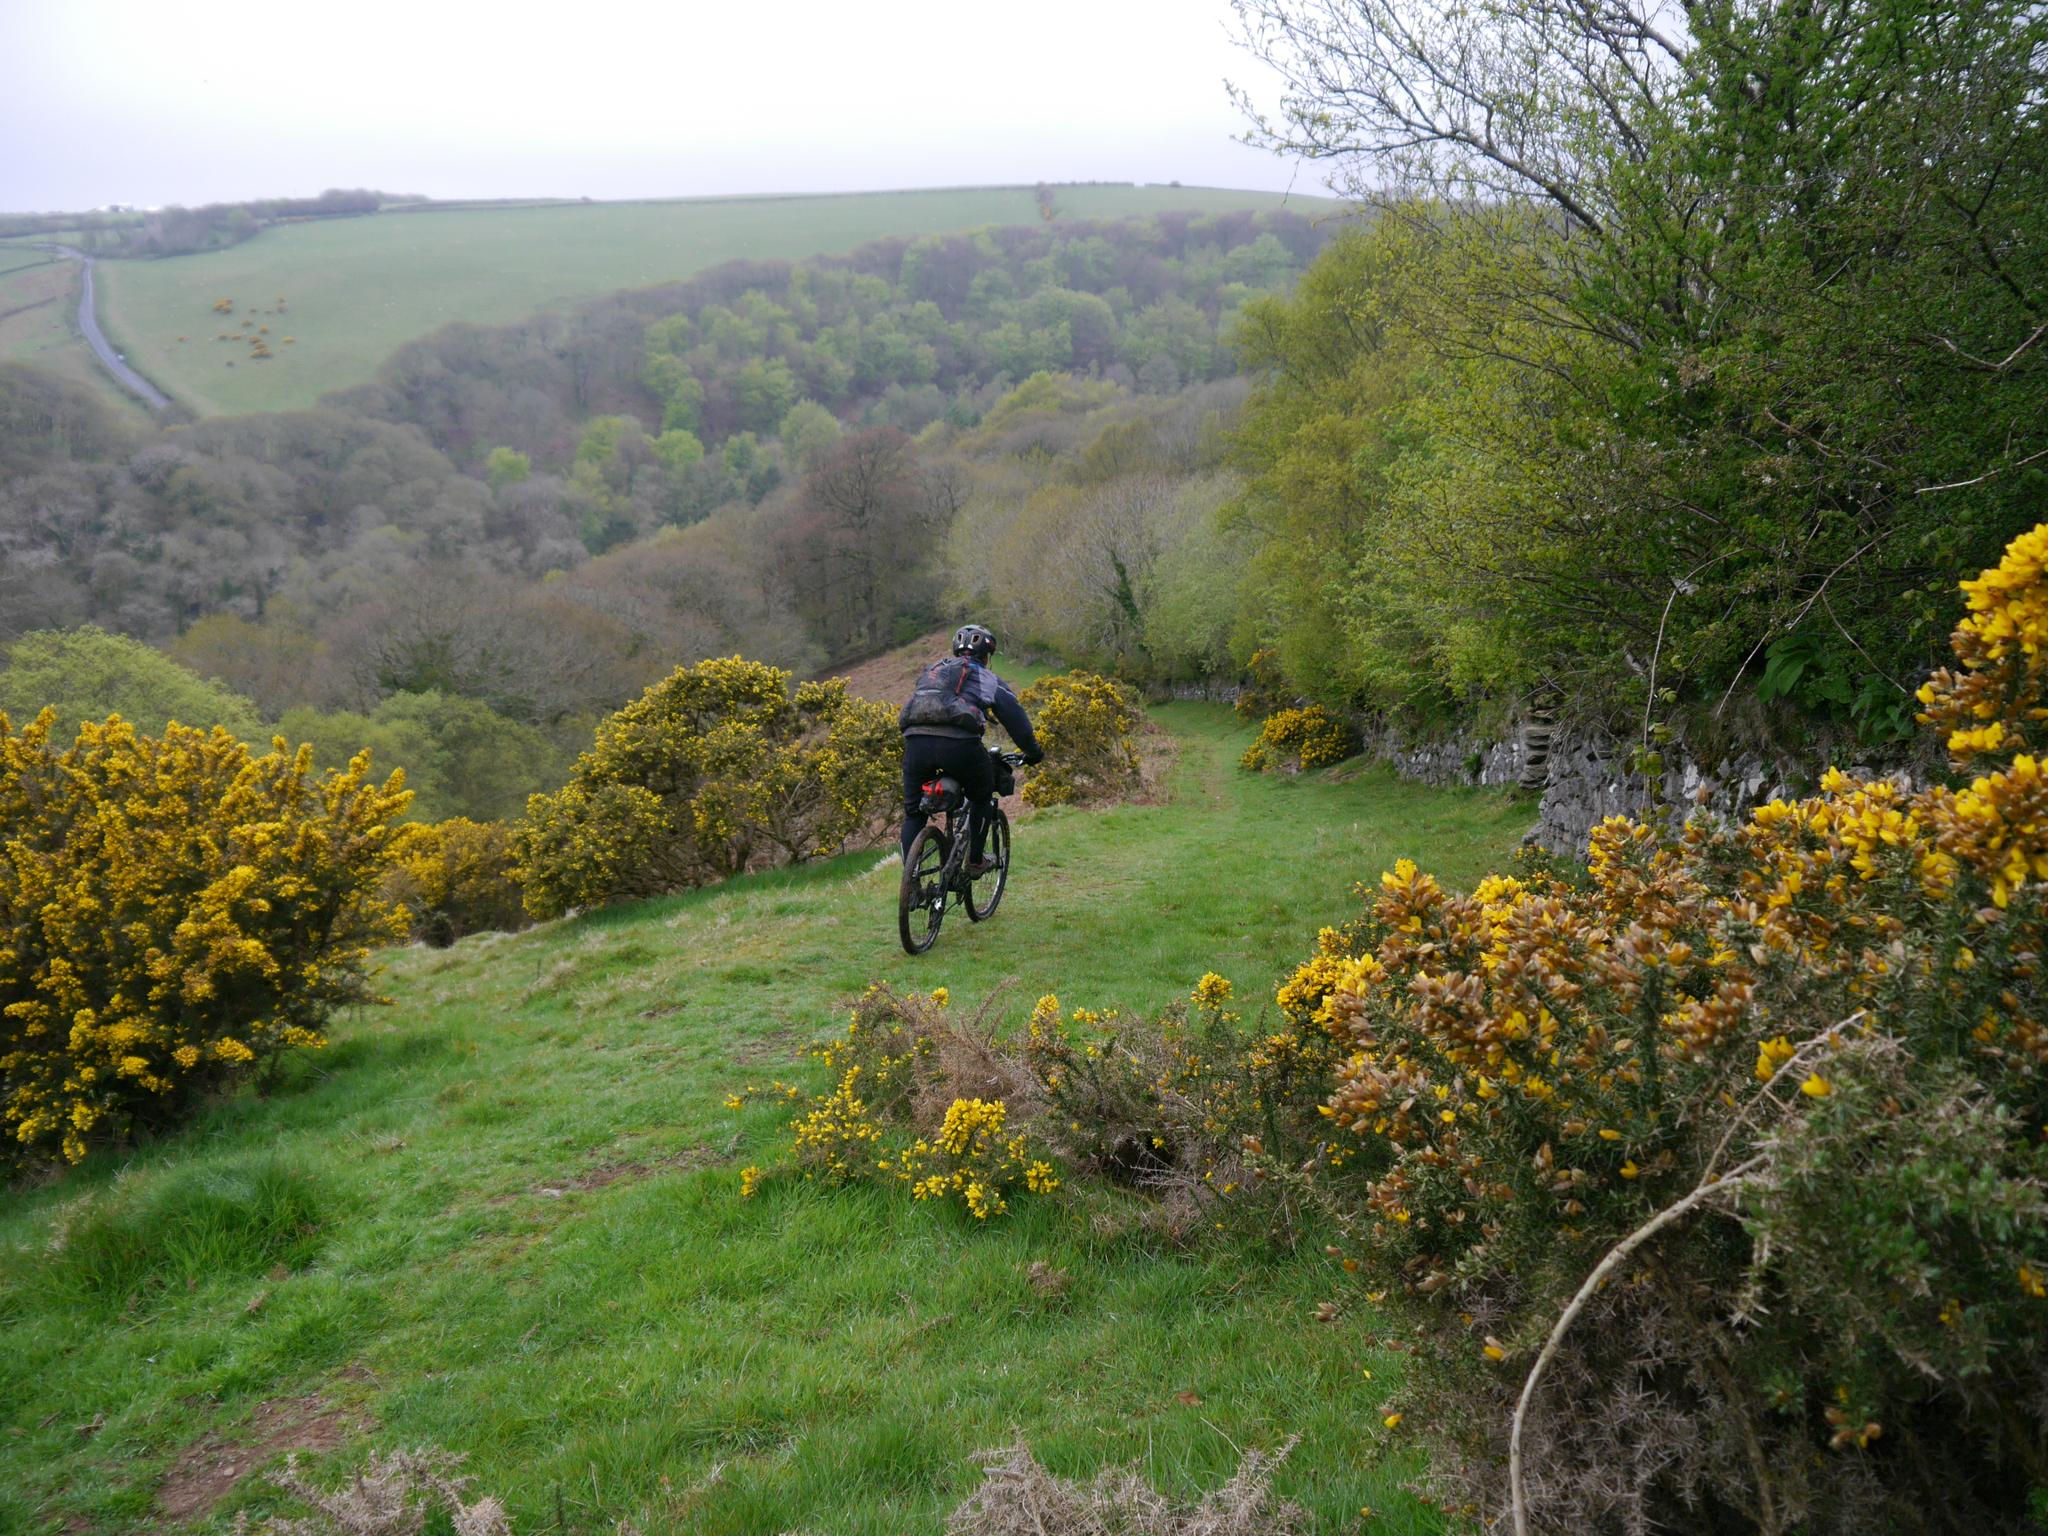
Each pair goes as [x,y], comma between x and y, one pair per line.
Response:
[531,1244]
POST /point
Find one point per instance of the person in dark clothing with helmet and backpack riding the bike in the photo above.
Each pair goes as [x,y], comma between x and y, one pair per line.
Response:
[943,726]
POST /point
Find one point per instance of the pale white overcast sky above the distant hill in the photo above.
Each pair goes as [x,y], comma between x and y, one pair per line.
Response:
[151,101]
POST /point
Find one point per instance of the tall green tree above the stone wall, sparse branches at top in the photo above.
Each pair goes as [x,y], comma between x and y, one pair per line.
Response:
[1766,282]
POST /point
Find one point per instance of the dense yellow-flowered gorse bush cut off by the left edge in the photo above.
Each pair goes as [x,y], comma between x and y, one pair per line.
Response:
[175,912]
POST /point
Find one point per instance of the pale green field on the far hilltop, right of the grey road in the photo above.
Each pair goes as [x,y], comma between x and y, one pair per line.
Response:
[355,290]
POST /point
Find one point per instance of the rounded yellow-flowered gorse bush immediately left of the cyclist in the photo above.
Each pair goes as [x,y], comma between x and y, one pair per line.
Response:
[714,771]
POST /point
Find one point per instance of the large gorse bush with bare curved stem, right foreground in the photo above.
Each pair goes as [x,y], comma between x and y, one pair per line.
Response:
[1740,1144]
